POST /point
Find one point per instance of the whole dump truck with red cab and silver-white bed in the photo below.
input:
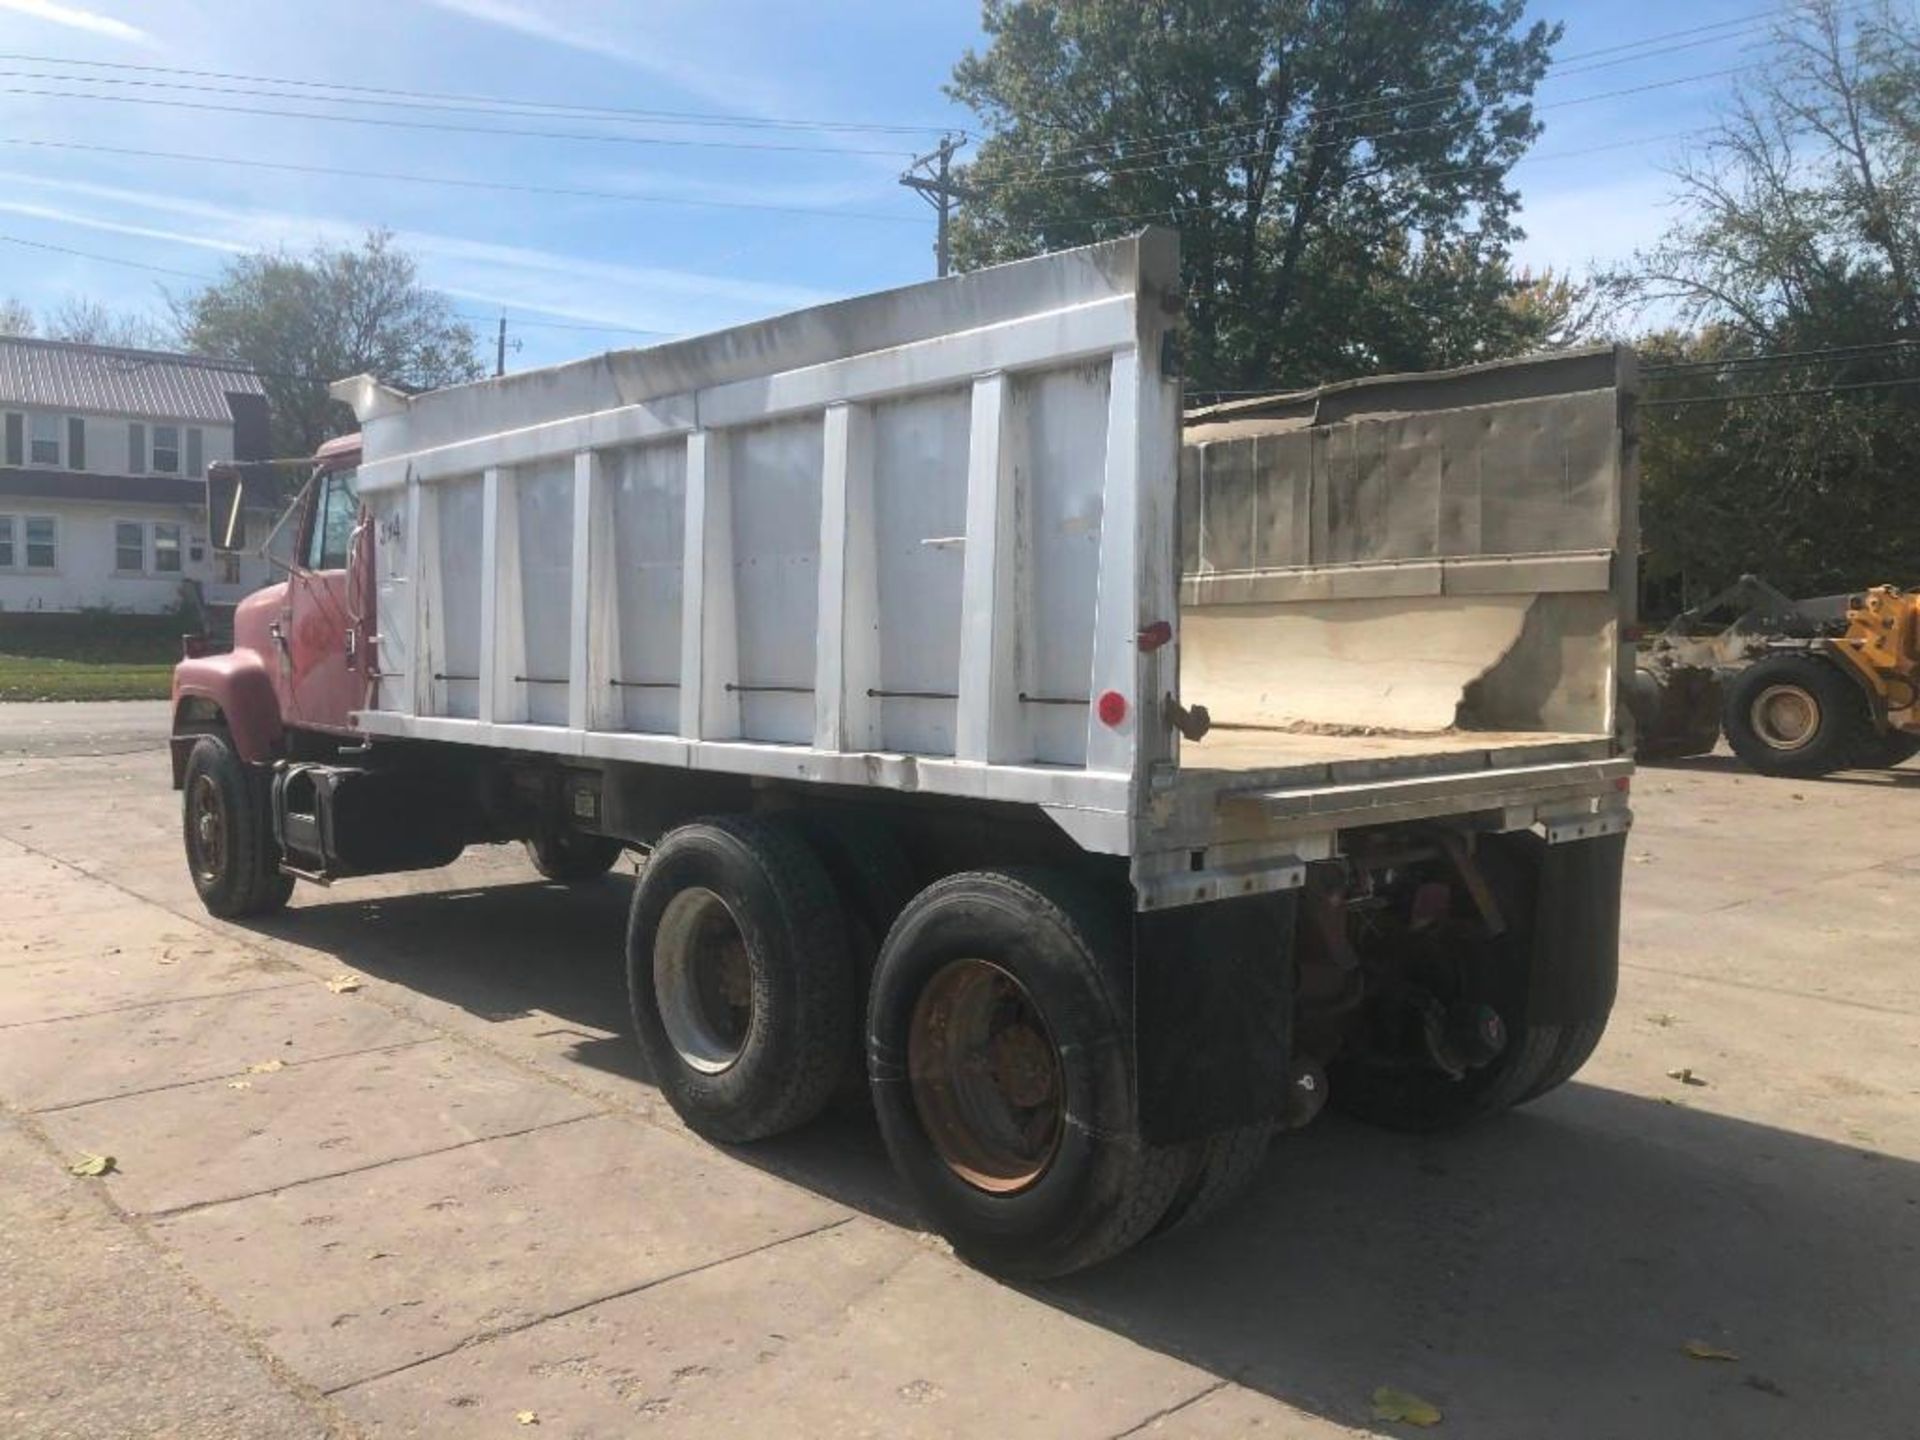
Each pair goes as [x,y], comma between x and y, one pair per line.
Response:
[1103,788]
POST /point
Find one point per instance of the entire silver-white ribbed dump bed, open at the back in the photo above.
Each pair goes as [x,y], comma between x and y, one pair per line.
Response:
[930,539]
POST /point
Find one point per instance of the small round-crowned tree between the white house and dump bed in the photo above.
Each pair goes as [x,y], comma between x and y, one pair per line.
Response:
[339,312]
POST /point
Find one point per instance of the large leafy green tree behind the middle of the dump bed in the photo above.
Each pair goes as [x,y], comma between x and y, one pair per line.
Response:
[1337,168]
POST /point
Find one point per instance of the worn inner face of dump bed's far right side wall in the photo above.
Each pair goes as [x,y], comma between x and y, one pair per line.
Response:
[1424,556]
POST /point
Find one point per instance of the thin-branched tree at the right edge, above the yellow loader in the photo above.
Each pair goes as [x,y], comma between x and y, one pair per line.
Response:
[1800,237]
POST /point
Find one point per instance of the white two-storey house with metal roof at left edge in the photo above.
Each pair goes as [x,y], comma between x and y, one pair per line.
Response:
[103,464]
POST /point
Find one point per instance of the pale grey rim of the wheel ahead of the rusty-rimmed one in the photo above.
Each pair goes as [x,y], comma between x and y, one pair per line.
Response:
[704,980]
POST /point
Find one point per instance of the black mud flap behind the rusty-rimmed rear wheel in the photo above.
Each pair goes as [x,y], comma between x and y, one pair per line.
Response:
[1212,1015]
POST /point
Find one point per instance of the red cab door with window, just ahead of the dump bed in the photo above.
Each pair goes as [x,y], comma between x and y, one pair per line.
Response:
[322,627]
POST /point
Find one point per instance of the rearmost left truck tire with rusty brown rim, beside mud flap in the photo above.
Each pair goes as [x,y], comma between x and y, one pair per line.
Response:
[1001,1067]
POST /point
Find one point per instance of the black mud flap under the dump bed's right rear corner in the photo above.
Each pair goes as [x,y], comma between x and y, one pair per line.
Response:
[1577,932]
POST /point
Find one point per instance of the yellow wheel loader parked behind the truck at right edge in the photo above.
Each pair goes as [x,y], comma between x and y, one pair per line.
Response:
[1800,688]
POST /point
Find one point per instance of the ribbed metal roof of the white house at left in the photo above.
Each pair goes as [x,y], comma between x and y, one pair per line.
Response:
[64,375]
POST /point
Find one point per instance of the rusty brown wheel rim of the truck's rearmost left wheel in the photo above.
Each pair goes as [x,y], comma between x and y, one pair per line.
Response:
[986,1078]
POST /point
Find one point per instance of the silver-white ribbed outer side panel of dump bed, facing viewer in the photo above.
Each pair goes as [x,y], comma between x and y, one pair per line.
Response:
[905,540]
